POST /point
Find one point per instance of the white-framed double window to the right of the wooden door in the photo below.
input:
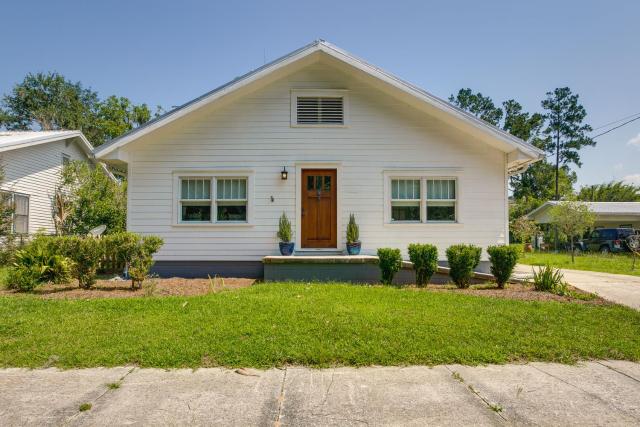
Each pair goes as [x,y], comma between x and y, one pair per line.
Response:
[422,200]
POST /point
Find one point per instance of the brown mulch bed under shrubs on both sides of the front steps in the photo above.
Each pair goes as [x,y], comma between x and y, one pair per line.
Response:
[176,286]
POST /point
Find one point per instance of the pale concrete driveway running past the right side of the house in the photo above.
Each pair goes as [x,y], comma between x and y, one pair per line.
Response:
[620,288]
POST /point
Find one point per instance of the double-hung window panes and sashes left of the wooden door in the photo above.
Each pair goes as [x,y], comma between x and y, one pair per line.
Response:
[213,199]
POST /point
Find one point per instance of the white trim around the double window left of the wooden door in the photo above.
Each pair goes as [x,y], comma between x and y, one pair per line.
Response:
[212,175]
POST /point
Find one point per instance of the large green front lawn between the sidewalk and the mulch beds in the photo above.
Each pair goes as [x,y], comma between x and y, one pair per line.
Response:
[315,325]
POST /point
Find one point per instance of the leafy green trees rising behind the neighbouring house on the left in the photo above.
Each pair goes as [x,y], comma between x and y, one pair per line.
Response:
[50,101]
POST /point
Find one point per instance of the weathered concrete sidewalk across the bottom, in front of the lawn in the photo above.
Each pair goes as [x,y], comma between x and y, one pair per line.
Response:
[593,393]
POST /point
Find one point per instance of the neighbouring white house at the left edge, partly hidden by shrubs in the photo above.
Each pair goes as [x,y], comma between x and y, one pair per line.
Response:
[32,162]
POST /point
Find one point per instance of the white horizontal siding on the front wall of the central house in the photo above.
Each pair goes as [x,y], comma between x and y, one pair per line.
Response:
[255,133]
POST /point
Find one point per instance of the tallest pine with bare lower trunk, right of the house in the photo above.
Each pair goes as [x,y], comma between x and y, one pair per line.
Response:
[565,132]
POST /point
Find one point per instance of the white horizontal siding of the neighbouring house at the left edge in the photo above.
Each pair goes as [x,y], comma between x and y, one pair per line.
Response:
[35,171]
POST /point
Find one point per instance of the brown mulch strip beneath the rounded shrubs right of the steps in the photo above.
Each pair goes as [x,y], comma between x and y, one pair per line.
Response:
[519,291]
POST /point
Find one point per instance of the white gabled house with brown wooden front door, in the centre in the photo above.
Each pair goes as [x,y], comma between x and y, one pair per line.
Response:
[208,176]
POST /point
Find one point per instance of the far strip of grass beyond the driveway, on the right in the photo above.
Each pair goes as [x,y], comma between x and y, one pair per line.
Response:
[612,263]
